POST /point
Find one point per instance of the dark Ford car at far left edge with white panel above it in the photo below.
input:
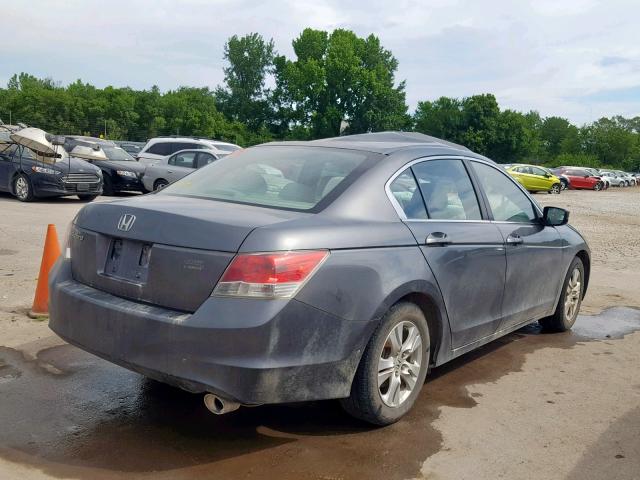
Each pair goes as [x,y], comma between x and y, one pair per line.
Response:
[28,176]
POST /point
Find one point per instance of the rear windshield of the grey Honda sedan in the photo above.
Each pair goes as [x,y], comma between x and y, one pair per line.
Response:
[292,178]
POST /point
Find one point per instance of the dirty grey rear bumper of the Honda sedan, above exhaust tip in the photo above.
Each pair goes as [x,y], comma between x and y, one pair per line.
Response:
[251,351]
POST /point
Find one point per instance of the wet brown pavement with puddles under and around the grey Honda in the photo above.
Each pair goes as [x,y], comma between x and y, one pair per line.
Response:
[72,415]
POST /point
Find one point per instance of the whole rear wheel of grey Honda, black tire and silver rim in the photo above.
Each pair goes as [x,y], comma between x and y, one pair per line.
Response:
[392,368]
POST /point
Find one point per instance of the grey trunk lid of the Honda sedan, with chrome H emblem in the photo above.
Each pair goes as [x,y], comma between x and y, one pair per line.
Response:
[162,249]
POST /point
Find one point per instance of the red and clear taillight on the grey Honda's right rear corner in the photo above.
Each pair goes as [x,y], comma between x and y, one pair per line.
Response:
[268,275]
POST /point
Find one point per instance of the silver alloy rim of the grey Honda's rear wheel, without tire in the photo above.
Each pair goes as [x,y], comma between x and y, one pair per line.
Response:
[399,363]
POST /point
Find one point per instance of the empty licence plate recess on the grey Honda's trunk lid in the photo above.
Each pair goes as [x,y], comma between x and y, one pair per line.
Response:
[128,260]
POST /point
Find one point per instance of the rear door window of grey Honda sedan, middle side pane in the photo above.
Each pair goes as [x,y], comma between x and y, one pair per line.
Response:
[447,190]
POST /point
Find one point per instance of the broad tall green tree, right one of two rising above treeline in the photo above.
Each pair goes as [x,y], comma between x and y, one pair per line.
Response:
[338,77]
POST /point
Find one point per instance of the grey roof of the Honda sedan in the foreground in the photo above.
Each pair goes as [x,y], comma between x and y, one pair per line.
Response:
[384,143]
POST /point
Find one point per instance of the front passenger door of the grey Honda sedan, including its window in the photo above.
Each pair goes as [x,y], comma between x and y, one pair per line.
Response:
[534,251]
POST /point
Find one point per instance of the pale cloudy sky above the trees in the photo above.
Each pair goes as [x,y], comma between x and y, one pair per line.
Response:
[576,58]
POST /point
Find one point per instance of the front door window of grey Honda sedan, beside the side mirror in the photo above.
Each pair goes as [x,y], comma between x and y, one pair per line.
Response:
[507,202]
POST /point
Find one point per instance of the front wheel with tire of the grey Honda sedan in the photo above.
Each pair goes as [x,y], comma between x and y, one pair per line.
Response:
[570,300]
